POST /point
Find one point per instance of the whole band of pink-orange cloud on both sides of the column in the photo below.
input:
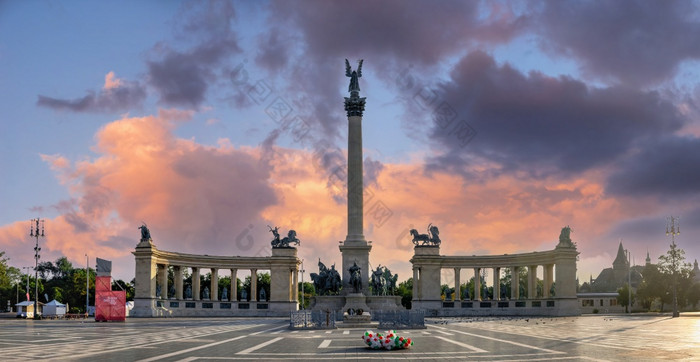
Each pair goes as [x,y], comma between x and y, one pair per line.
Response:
[218,200]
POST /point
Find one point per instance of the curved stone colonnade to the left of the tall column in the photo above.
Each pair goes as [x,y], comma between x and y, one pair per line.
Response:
[153,295]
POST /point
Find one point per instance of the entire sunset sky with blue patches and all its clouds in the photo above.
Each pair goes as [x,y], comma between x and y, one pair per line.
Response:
[498,121]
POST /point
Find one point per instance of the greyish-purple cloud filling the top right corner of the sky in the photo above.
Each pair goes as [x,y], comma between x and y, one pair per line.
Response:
[636,42]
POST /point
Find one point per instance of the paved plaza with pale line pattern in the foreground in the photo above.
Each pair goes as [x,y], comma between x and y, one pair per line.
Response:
[603,338]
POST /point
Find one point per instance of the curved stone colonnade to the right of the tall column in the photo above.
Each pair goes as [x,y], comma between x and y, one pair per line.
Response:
[558,265]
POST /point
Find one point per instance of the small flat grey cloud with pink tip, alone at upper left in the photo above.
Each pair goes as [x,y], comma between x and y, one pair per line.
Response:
[117,95]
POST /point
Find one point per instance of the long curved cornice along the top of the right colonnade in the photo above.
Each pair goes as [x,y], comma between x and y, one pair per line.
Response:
[505,260]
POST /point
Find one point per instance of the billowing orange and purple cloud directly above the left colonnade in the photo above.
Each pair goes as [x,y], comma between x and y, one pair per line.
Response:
[195,198]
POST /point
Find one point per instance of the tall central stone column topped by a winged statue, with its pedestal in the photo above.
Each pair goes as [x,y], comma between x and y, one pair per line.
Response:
[355,249]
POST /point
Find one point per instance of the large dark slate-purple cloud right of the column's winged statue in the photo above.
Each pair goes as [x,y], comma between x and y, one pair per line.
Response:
[538,124]
